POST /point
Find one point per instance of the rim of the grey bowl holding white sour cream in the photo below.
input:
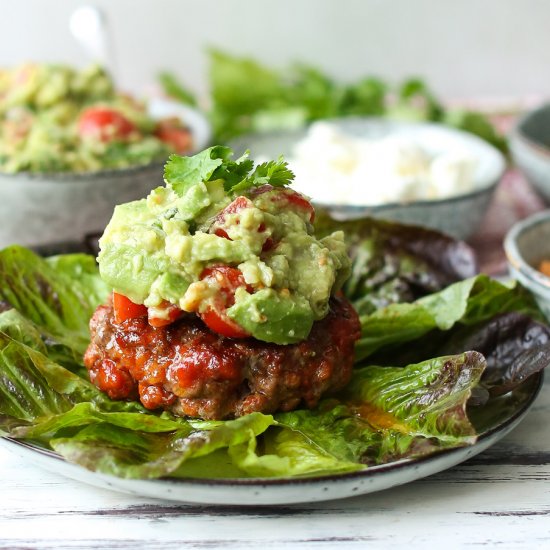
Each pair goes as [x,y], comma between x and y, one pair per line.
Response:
[487,188]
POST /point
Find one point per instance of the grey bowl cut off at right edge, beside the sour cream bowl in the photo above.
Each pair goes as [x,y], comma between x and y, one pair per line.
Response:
[530,148]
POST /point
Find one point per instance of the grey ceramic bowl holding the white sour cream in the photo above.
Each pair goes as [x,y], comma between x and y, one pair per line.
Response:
[458,216]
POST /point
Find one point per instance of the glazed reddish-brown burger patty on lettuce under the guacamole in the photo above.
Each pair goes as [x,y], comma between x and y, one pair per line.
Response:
[189,370]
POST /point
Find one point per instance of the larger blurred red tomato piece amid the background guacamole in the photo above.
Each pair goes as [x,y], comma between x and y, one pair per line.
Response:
[104,124]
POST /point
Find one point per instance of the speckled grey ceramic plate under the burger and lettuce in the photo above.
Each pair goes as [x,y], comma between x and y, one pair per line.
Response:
[493,421]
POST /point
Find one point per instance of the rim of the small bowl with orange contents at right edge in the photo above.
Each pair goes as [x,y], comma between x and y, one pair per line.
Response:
[515,258]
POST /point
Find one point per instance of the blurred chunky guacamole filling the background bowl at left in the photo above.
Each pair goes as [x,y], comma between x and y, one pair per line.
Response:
[54,118]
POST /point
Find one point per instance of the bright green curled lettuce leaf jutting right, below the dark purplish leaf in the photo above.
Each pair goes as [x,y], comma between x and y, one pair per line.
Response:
[467,302]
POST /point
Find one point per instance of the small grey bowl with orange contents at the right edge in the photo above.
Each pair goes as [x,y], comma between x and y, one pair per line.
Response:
[526,245]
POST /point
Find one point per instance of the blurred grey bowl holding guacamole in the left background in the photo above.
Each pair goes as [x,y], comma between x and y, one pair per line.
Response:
[43,208]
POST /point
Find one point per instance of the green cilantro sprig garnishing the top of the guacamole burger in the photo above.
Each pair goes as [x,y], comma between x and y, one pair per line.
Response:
[215,163]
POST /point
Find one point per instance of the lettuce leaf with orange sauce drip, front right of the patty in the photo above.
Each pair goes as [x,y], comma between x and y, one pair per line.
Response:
[391,413]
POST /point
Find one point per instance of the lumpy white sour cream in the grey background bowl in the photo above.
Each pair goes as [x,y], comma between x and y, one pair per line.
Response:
[332,167]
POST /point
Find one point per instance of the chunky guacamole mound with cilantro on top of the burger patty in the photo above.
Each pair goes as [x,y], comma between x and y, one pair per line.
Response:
[229,241]
